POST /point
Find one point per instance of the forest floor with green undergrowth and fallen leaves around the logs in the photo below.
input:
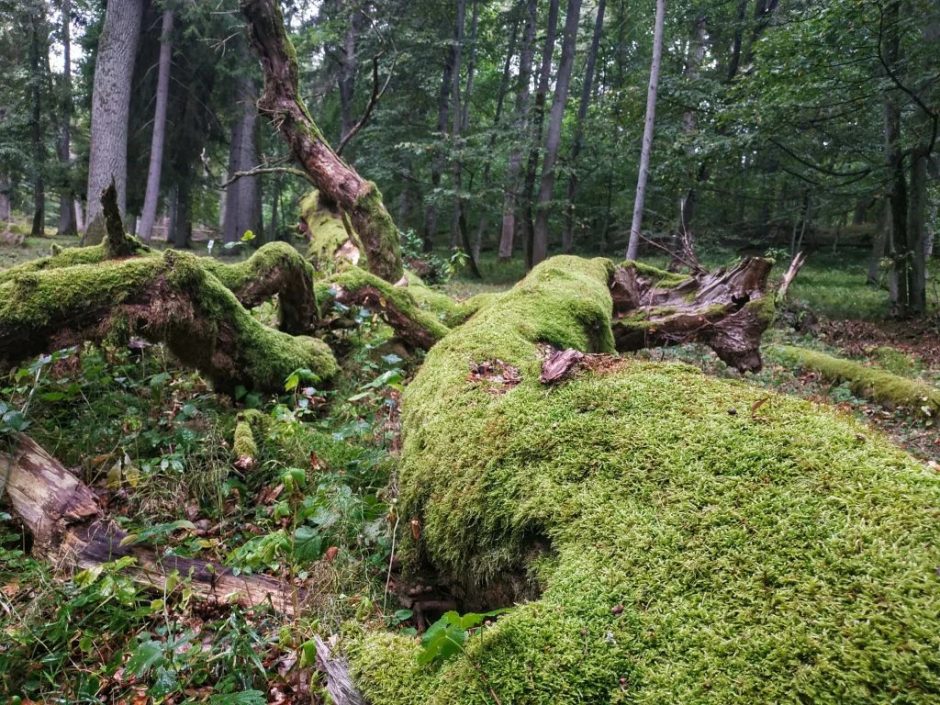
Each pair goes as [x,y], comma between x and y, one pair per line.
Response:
[315,511]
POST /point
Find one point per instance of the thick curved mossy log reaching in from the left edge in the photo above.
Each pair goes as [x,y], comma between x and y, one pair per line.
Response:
[171,299]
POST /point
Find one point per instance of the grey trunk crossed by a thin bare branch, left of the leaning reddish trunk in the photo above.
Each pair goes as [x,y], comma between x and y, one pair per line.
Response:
[242,197]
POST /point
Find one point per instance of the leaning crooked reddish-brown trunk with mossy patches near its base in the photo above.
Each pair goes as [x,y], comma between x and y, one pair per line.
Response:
[359,198]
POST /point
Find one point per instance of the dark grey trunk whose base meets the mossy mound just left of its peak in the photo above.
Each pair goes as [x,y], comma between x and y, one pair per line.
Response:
[553,136]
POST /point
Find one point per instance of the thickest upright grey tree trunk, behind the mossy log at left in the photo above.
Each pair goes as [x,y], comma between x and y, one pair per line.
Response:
[110,107]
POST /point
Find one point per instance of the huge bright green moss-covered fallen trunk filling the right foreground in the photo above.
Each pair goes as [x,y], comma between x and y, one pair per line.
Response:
[687,551]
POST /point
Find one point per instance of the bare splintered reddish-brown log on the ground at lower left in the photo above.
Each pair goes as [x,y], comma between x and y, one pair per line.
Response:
[69,530]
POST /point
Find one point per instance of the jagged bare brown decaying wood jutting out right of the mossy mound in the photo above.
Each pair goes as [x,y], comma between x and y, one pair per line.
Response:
[718,309]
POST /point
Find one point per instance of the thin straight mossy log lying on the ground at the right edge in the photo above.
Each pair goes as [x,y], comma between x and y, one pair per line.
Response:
[868,382]
